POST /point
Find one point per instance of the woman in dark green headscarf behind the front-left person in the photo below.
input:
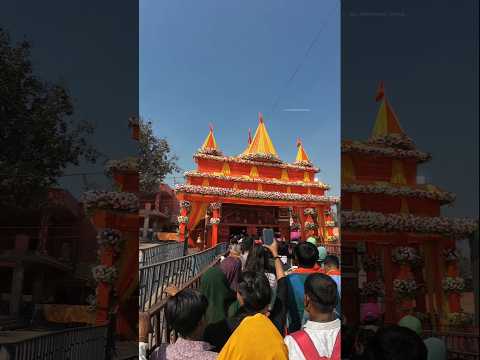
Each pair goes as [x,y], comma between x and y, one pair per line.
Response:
[215,287]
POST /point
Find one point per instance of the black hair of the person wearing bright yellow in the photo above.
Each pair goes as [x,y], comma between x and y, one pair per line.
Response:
[255,291]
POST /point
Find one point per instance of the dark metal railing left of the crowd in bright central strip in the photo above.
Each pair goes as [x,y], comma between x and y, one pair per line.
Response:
[154,278]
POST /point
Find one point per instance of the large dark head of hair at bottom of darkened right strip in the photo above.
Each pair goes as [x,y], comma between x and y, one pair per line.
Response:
[396,343]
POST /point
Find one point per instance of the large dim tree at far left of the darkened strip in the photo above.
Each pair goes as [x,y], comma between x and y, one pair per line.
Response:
[38,137]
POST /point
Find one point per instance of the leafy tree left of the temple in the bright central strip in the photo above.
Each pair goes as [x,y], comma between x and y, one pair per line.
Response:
[155,161]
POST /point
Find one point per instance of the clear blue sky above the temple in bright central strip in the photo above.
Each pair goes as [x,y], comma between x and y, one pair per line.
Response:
[223,62]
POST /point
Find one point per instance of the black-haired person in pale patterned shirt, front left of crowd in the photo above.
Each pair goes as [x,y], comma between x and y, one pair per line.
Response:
[185,313]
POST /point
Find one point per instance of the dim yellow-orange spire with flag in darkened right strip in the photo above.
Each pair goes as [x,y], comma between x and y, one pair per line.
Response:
[386,122]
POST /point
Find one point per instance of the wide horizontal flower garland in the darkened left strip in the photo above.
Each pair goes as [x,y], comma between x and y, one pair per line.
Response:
[110,200]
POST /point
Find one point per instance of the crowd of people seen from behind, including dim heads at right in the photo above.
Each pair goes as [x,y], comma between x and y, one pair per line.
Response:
[255,305]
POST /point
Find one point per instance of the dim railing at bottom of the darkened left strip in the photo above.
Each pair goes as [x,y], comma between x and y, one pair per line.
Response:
[73,344]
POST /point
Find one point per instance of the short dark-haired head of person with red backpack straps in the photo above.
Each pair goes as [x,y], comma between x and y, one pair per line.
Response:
[322,291]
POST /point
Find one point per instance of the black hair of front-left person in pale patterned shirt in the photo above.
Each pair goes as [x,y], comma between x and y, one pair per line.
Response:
[184,311]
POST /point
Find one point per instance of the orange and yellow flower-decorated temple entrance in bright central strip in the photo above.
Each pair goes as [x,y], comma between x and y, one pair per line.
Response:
[228,195]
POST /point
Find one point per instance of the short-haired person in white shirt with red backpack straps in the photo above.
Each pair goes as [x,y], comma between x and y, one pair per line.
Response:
[320,337]
